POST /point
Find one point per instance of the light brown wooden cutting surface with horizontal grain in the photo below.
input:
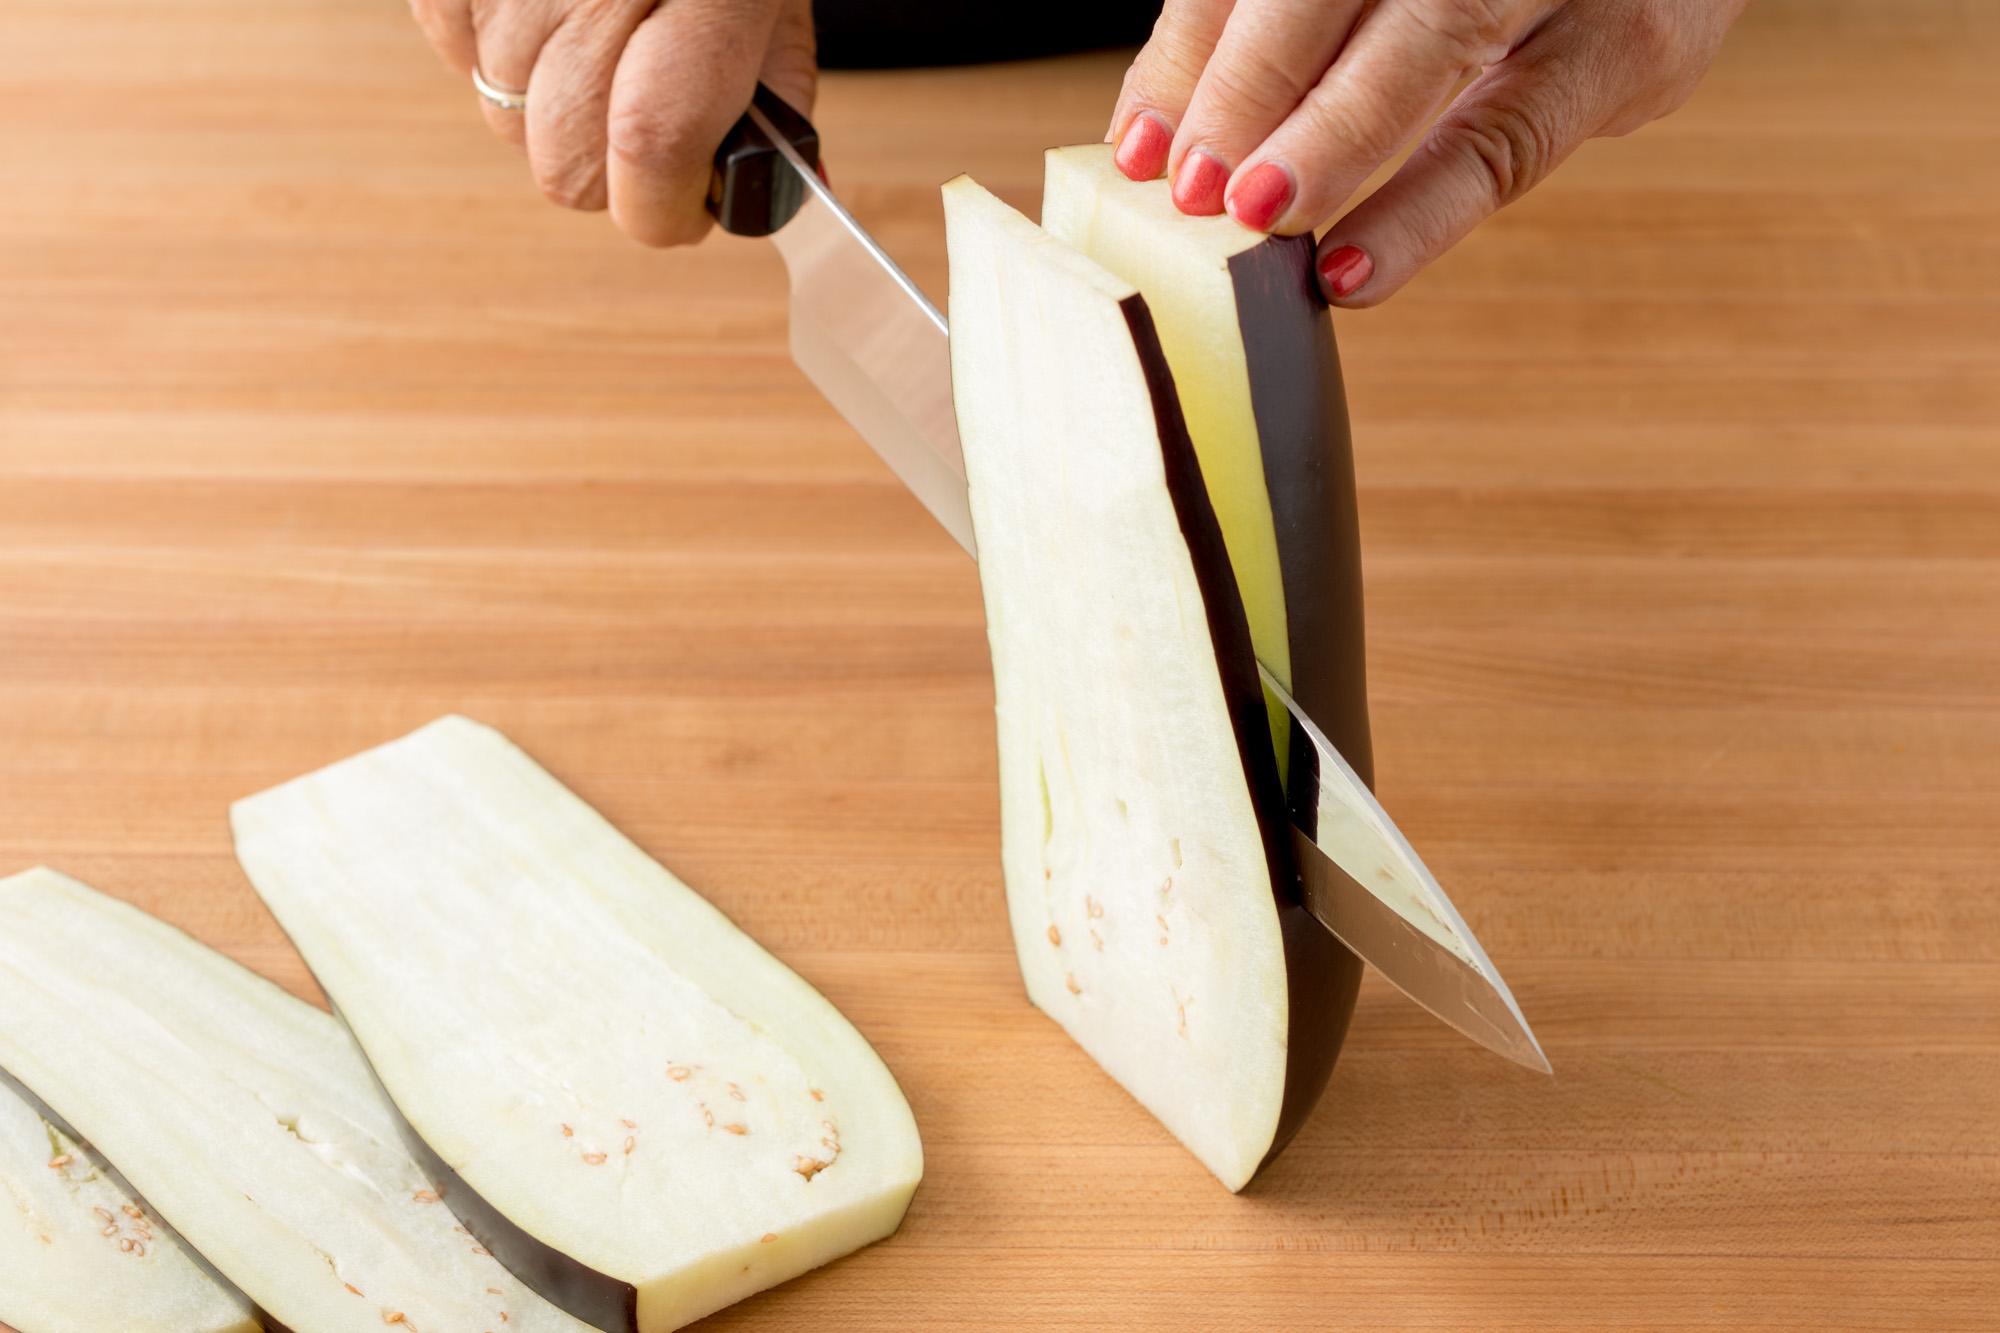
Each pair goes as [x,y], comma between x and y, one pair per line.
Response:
[1681,497]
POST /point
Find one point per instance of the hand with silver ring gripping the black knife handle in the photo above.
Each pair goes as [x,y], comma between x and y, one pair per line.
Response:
[627,99]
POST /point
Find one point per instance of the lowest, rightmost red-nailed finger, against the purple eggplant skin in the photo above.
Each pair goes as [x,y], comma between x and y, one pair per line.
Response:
[1499,141]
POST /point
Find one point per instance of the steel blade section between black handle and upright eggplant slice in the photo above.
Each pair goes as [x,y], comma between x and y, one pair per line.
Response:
[875,345]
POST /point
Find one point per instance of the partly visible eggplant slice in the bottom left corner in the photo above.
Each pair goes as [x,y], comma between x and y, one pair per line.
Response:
[83,1254]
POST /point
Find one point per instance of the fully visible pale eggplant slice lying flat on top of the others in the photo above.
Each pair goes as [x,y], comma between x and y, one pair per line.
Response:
[635,1096]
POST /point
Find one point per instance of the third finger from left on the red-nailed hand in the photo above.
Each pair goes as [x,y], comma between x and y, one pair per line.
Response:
[1391,77]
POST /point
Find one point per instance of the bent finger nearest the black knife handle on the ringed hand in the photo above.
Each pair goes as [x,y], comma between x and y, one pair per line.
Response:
[683,81]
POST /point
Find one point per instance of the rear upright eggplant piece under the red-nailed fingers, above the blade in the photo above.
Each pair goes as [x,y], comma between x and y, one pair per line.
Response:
[1251,345]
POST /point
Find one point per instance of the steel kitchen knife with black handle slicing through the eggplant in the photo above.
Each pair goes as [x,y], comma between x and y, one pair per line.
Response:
[875,345]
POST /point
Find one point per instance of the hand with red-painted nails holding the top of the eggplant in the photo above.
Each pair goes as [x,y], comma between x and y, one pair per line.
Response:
[1281,109]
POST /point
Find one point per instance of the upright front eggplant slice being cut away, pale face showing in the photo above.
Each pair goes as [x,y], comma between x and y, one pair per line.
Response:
[1151,888]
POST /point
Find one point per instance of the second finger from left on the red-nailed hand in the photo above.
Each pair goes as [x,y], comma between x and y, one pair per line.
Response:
[1269,55]
